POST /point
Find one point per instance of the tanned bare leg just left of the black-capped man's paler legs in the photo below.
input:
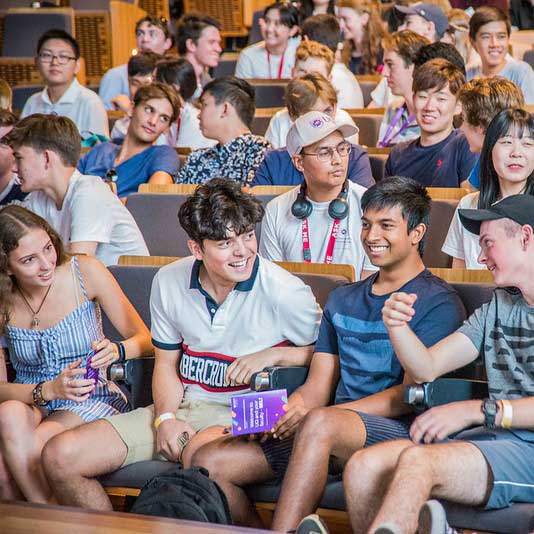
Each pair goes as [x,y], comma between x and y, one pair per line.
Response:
[323,432]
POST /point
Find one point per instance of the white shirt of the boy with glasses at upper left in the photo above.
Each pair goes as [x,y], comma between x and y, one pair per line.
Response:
[78,103]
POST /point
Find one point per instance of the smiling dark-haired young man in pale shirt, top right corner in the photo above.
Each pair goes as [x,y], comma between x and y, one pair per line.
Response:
[489,31]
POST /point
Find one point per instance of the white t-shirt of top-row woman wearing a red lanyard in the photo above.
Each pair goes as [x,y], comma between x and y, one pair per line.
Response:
[254,61]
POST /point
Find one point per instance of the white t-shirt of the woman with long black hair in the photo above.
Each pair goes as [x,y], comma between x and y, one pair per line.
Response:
[460,243]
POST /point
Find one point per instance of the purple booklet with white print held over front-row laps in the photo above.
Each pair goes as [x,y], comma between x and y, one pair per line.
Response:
[257,411]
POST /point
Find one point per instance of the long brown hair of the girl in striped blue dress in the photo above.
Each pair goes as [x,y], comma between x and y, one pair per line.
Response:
[16,222]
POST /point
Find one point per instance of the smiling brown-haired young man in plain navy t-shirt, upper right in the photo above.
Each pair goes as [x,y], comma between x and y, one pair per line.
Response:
[440,157]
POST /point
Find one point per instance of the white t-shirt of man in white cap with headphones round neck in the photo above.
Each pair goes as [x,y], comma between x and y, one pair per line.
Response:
[281,232]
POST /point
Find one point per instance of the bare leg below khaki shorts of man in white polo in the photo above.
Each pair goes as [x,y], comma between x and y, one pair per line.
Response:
[73,459]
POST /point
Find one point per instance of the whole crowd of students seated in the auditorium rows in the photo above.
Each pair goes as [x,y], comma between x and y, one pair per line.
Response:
[454,115]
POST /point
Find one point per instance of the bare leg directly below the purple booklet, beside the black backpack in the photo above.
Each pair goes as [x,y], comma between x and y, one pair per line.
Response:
[234,463]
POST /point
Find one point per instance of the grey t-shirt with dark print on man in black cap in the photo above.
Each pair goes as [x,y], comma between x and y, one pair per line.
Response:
[503,332]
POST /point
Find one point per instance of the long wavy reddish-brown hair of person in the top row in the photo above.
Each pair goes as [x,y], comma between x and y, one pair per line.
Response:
[372,37]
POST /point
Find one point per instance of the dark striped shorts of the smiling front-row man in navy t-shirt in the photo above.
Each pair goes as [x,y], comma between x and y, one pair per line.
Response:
[378,429]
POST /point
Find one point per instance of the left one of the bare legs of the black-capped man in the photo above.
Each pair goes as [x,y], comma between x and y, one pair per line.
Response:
[365,480]
